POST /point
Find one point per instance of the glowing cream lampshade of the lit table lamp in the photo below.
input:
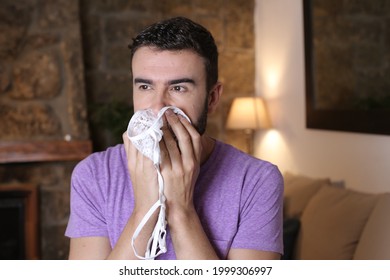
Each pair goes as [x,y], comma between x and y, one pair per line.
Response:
[248,113]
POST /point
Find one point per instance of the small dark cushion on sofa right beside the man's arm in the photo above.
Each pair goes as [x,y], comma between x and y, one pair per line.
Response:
[290,234]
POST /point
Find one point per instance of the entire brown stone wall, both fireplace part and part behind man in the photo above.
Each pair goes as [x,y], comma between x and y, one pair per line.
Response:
[48,69]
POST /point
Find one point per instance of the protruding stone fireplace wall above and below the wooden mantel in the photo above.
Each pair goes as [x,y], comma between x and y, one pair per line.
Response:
[42,97]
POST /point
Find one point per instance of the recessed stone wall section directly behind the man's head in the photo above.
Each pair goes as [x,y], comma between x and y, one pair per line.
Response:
[109,26]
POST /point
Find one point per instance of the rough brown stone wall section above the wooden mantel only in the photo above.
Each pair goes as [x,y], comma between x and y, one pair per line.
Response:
[41,71]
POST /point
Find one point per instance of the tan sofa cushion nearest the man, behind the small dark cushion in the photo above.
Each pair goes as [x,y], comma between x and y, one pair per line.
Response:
[298,190]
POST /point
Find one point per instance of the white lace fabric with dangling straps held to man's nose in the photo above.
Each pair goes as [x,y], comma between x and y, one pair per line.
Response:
[144,131]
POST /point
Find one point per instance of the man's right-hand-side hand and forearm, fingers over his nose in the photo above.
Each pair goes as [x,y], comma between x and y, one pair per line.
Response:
[181,153]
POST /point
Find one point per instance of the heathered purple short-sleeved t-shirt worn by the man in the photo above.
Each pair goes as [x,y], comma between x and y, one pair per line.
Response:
[238,199]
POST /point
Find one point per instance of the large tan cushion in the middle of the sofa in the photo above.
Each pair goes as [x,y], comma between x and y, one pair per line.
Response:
[332,223]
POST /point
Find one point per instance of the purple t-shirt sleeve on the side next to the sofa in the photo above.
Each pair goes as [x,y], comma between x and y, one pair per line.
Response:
[261,215]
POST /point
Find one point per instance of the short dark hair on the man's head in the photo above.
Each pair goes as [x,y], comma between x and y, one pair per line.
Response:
[181,33]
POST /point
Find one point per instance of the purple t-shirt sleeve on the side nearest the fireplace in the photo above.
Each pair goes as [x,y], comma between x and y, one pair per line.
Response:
[87,215]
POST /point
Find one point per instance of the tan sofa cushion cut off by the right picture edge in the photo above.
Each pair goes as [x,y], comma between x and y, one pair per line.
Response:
[374,243]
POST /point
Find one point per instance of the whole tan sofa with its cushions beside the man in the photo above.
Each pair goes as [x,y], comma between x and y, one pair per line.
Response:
[325,220]
